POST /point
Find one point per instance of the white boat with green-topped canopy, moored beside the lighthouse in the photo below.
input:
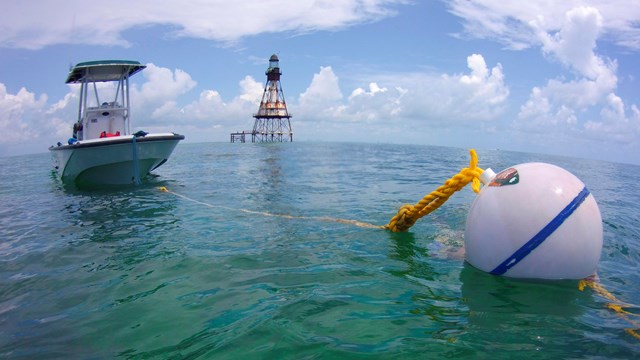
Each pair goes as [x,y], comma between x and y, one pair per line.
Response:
[102,149]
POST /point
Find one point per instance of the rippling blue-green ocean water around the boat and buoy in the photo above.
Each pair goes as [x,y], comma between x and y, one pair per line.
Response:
[238,260]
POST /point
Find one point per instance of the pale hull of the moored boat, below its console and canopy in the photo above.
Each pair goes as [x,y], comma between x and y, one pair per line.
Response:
[119,160]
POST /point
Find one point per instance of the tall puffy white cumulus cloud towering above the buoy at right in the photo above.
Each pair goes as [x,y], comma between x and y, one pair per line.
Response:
[559,103]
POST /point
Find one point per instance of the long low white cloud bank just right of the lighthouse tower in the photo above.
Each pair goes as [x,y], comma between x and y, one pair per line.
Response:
[408,100]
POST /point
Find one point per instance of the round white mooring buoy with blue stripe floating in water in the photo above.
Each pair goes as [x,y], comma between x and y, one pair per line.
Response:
[534,220]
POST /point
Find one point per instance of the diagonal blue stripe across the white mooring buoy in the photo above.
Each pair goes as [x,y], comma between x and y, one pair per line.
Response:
[541,236]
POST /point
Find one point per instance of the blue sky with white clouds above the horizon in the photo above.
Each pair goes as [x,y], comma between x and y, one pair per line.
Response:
[537,76]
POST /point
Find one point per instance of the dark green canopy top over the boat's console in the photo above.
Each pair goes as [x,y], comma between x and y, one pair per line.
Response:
[103,70]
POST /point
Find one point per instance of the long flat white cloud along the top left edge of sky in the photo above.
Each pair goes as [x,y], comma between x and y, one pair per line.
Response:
[92,22]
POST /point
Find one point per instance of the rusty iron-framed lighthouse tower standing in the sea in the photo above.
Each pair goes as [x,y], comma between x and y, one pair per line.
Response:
[273,121]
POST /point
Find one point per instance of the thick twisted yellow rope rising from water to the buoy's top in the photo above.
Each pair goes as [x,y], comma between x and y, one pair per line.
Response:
[409,214]
